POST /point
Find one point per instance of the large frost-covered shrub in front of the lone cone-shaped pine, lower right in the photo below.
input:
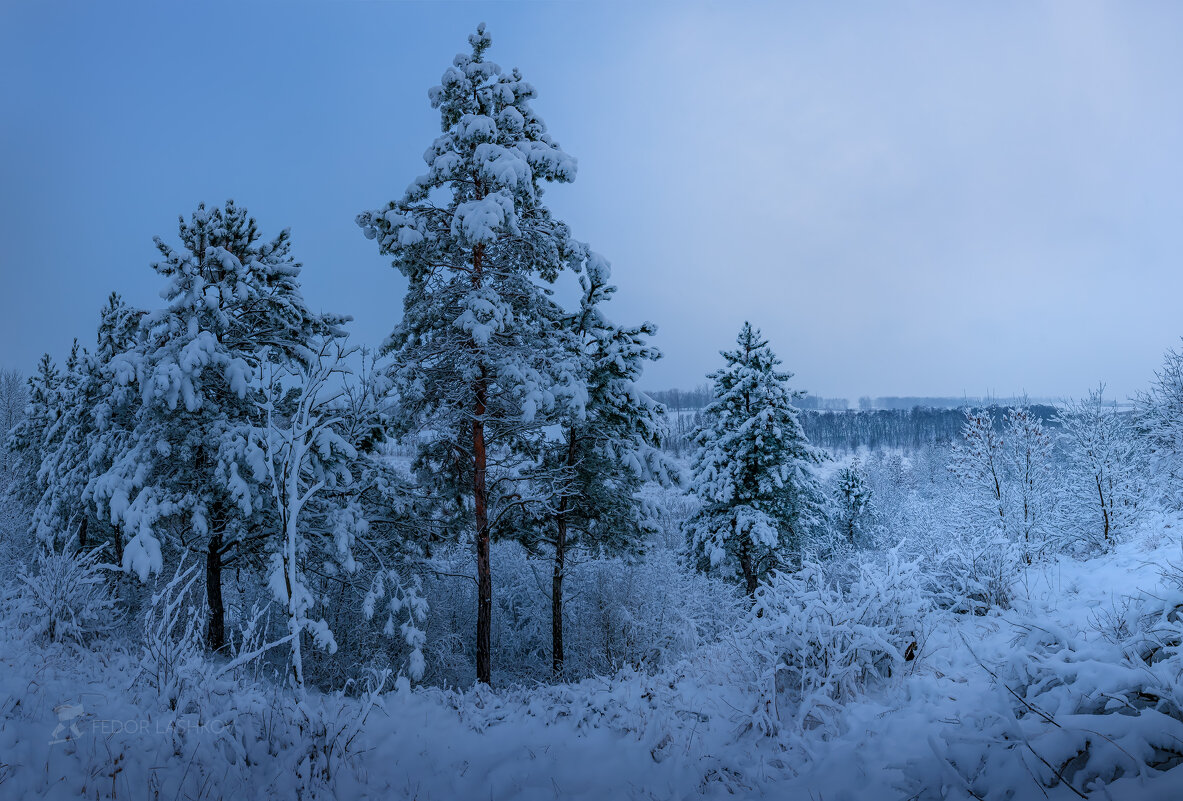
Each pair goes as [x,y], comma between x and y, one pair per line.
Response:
[818,643]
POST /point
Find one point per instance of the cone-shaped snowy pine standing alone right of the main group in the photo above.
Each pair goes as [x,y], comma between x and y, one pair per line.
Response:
[754,470]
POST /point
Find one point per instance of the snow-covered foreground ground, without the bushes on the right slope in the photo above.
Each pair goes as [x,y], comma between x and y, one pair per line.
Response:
[80,725]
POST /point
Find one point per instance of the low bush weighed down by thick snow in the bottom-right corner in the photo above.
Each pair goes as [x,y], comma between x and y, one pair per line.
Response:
[1077,714]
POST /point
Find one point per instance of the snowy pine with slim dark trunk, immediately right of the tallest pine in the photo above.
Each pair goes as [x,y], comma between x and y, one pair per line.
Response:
[609,449]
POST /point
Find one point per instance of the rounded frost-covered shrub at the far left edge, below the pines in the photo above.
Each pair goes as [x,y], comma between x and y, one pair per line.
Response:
[64,598]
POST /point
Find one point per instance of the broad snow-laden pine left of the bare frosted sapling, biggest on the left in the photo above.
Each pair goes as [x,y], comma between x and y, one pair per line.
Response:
[231,300]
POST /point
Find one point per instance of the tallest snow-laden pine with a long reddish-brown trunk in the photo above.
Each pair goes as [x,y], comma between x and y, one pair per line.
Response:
[480,360]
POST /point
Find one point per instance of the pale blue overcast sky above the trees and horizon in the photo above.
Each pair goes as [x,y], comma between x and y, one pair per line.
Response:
[908,198]
